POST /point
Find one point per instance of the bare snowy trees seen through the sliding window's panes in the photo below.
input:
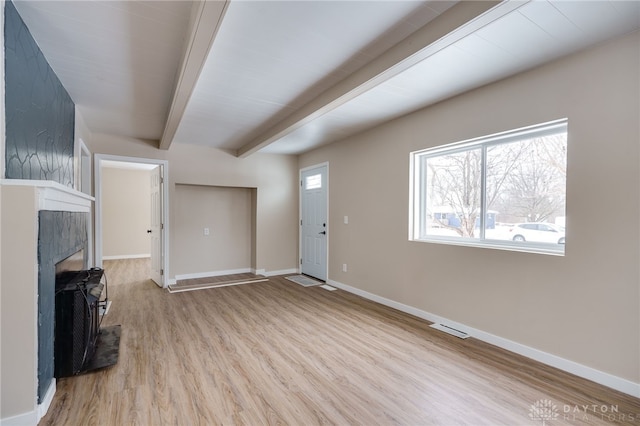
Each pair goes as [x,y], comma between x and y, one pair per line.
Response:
[525,182]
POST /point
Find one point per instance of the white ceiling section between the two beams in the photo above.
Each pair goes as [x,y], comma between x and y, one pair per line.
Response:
[269,58]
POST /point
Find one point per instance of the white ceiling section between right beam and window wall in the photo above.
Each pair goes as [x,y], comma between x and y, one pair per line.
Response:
[532,34]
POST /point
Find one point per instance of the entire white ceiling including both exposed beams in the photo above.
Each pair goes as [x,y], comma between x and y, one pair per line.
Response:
[287,76]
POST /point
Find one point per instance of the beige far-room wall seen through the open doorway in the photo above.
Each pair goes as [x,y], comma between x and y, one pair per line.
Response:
[126,213]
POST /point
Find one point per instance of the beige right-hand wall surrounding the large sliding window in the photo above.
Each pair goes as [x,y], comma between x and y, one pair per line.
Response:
[583,307]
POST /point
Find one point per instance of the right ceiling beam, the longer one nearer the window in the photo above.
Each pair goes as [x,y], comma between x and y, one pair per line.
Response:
[453,25]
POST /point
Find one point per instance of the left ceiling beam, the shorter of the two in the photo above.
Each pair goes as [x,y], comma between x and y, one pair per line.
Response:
[206,19]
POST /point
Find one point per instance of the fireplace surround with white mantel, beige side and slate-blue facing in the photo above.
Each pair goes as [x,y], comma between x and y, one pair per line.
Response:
[28,286]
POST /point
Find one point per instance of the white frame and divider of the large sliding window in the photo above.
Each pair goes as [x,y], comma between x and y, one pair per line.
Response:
[415,199]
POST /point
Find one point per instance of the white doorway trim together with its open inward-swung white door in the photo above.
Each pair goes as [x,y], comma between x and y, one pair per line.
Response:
[157,214]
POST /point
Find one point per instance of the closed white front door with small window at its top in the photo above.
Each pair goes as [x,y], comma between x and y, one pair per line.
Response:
[313,223]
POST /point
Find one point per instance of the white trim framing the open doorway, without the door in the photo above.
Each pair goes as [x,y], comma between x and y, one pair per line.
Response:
[98,160]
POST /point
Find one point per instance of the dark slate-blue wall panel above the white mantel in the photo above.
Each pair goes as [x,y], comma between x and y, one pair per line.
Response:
[40,115]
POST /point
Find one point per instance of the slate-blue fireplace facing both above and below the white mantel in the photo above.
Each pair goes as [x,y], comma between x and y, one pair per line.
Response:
[39,145]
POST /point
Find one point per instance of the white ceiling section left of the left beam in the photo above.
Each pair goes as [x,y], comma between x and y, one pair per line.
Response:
[117,59]
